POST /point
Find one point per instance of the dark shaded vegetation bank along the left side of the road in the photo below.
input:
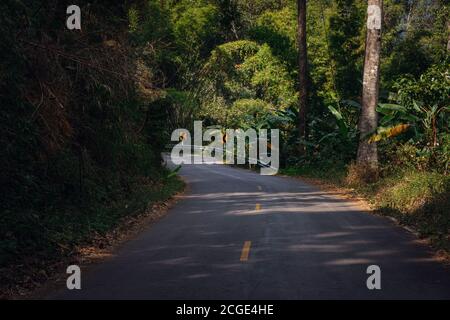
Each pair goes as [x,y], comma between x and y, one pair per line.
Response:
[80,138]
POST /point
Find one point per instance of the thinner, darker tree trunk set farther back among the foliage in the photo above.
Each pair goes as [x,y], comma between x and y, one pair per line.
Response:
[302,70]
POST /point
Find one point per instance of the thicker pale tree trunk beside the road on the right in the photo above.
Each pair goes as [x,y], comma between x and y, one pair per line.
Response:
[367,158]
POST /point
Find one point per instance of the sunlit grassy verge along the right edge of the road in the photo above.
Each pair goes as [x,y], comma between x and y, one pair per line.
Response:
[417,199]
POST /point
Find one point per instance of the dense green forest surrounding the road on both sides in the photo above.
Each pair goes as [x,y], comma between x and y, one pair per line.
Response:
[85,114]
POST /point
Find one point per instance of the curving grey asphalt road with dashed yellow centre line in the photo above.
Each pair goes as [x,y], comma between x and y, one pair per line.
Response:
[239,235]
